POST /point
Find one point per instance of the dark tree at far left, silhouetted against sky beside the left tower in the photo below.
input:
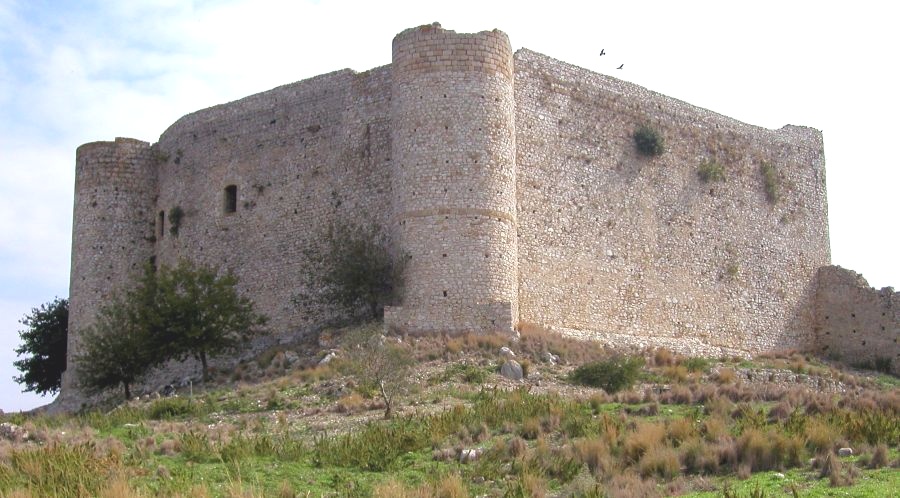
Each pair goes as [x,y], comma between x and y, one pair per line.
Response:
[45,341]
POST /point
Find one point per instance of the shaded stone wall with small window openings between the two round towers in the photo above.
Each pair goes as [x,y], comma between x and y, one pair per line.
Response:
[301,157]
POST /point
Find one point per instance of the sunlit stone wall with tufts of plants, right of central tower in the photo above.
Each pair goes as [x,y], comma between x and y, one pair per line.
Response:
[635,250]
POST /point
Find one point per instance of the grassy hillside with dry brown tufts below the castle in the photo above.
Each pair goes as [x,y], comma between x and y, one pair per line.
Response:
[283,426]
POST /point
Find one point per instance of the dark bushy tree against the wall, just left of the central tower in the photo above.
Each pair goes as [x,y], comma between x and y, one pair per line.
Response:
[350,269]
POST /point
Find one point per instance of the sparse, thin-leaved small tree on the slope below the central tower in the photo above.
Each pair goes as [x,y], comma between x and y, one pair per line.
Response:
[378,364]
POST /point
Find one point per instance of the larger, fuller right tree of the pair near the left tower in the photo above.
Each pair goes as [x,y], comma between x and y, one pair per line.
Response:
[198,313]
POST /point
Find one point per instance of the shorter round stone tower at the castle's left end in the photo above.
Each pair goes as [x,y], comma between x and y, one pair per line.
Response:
[112,230]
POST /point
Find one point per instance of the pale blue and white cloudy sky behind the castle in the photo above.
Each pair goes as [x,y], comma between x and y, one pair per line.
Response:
[73,72]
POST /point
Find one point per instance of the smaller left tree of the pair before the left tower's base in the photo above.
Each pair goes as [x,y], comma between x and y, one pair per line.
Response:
[117,349]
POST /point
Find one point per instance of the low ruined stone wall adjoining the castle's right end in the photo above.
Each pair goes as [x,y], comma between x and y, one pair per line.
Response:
[855,323]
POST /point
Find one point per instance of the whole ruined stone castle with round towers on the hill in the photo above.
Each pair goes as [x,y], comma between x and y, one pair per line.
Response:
[513,184]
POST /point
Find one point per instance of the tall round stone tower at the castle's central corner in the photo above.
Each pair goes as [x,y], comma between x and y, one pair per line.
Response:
[454,180]
